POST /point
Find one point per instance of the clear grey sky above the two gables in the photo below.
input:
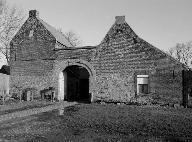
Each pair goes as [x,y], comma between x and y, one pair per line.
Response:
[162,23]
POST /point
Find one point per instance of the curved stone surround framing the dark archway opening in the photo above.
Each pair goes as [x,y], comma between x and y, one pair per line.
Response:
[60,66]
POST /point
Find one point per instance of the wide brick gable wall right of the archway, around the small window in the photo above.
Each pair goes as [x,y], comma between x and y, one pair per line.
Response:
[122,55]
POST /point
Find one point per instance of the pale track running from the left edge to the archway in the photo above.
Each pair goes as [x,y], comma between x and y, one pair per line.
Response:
[33,111]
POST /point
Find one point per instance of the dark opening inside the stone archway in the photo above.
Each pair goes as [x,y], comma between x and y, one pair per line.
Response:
[76,84]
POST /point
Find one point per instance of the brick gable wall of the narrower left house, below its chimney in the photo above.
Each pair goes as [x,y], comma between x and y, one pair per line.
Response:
[31,64]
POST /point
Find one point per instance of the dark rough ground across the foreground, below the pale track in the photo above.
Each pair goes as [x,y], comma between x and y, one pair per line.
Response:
[102,123]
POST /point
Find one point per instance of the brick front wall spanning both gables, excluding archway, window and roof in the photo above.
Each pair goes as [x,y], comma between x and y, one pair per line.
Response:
[116,62]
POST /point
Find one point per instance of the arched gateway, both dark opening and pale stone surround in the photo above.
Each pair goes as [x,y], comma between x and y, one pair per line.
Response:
[75,81]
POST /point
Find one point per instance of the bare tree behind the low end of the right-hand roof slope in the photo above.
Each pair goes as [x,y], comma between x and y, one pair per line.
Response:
[182,52]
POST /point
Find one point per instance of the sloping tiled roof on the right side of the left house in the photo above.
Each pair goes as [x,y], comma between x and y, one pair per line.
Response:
[61,38]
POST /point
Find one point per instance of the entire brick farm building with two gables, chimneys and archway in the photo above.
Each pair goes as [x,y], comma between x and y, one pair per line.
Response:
[121,68]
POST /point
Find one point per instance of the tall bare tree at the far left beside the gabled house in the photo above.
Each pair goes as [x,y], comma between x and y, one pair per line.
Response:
[11,19]
